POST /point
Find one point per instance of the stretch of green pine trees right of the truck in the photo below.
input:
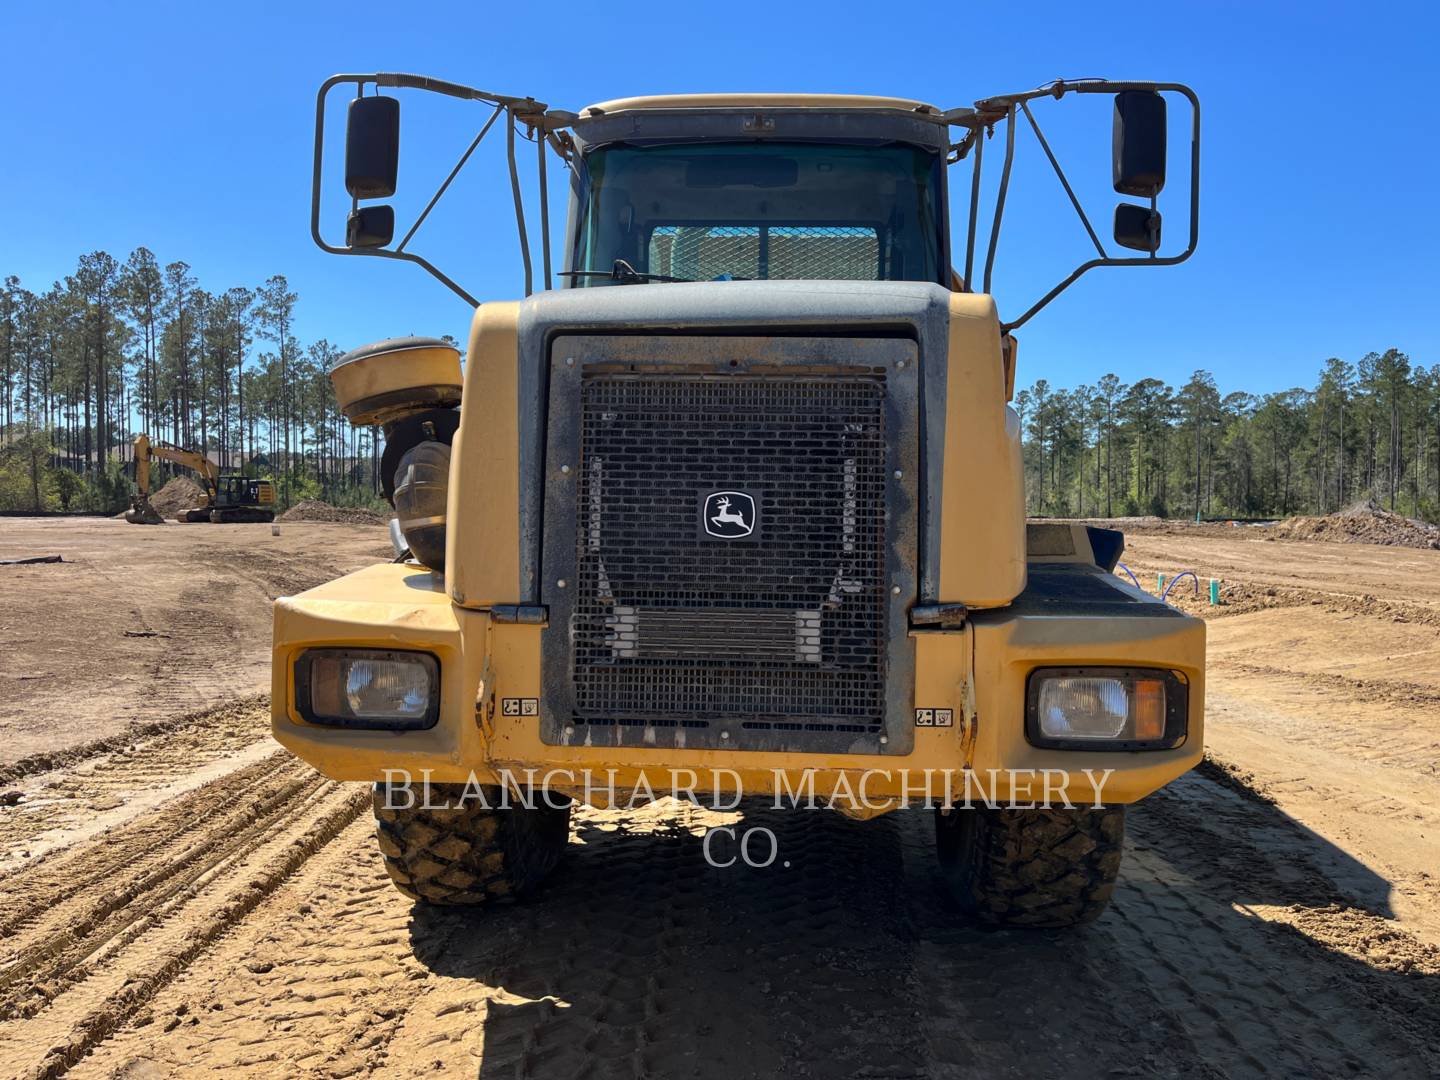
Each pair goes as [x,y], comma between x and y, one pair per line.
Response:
[1366,431]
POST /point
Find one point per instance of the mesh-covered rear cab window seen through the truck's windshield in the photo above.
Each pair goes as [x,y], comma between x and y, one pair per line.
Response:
[771,251]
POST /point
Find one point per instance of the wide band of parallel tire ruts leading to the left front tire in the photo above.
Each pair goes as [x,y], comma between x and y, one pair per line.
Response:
[96,931]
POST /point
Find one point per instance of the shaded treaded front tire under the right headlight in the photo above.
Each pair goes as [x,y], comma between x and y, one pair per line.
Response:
[1032,868]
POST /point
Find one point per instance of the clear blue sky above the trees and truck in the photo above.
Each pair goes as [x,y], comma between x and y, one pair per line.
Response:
[188,129]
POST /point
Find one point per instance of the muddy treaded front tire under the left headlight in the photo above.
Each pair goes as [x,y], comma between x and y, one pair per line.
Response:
[447,850]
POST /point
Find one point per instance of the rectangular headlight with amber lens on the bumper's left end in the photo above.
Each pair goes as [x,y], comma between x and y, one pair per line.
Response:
[381,689]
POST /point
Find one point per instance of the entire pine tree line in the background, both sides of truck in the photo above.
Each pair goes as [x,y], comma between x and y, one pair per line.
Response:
[126,348]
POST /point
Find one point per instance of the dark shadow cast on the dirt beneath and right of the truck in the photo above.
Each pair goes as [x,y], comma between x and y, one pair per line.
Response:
[642,960]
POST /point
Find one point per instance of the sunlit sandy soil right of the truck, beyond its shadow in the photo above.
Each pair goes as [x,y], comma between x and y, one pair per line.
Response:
[1324,693]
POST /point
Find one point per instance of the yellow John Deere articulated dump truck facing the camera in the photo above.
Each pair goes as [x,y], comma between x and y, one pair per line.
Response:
[732,505]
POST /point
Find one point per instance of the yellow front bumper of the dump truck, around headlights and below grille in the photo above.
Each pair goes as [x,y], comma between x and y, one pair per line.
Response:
[1076,616]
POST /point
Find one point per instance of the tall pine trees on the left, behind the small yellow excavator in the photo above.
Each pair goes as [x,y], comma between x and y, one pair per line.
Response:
[125,348]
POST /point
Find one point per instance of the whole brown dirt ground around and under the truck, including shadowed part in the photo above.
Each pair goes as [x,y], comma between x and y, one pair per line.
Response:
[185,899]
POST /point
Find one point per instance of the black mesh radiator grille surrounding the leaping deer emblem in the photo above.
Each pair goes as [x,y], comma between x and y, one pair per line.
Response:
[784,629]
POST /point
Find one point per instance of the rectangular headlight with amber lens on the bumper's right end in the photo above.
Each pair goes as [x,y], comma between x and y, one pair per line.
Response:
[1107,709]
